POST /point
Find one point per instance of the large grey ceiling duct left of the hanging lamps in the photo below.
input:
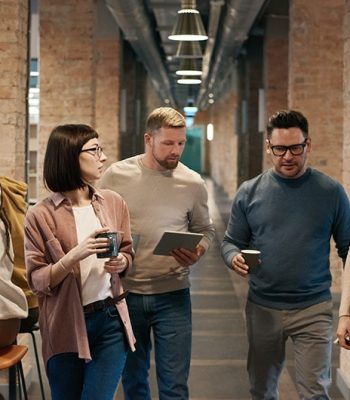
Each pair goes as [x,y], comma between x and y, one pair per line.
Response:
[133,20]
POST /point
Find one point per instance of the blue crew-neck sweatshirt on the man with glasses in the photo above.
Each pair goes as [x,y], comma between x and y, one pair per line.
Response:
[291,221]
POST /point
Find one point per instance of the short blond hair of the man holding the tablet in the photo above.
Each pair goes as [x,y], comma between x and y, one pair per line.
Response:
[164,117]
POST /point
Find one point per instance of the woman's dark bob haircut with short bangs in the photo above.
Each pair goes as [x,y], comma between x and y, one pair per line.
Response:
[61,163]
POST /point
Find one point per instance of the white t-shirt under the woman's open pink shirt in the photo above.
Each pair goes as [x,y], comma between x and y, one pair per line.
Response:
[95,281]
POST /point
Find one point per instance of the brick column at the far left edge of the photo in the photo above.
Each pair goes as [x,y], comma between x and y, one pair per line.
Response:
[13,86]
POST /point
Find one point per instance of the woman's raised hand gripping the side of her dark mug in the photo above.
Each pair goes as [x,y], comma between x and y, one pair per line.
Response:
[90,245]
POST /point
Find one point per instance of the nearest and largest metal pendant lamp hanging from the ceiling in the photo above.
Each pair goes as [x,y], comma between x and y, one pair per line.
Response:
[189,25]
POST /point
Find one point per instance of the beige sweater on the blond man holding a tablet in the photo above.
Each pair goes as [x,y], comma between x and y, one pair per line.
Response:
[174,200]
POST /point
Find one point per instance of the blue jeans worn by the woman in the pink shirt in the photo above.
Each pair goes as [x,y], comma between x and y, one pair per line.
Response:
[71,378]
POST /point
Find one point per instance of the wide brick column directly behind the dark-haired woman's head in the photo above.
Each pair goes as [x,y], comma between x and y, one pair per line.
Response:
[67,65]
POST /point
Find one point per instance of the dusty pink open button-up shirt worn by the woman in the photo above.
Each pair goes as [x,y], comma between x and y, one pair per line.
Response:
[50,233]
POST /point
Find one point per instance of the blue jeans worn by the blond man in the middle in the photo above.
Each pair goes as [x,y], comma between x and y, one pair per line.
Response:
[169,316]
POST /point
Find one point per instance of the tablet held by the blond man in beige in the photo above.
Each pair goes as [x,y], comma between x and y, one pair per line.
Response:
[174,240]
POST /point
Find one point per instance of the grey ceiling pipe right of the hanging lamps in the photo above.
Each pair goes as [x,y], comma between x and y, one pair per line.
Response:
[238,20]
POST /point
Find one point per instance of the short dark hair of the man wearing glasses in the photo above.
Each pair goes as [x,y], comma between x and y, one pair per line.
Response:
[288,119]
